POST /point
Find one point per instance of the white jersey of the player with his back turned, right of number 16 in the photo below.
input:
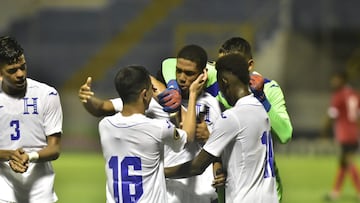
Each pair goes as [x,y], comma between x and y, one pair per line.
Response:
[242,138]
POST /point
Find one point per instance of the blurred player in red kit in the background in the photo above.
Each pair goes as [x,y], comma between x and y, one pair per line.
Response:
[343,115]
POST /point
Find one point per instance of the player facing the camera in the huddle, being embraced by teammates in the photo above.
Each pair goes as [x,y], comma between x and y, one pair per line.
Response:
[191,61]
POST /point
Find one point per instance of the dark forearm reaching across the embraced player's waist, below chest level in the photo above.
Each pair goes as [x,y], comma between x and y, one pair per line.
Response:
[191,168]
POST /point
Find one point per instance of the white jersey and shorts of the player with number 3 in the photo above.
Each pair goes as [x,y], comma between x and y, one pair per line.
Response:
[25,123]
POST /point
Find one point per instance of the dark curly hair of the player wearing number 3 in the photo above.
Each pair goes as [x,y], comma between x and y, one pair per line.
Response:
[10,51]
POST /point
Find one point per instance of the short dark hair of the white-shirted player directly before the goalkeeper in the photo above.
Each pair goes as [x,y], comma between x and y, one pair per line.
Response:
[236,64]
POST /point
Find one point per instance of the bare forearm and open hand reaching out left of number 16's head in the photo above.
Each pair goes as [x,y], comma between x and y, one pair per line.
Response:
[95,106]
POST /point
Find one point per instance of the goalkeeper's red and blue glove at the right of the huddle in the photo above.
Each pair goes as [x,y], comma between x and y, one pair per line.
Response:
[257,88]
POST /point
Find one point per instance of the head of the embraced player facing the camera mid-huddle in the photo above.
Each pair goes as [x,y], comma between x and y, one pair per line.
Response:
[190,63]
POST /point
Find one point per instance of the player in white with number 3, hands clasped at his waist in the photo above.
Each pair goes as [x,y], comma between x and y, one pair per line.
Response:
[31,128]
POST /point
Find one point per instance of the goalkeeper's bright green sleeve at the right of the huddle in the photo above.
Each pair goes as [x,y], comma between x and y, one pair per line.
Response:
[279,117]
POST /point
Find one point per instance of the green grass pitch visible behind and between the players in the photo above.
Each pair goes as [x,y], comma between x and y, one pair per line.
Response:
[80,178]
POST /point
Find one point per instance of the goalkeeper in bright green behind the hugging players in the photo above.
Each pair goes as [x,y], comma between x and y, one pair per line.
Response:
[266,90]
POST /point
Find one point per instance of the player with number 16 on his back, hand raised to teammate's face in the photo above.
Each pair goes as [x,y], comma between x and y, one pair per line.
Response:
[133,144]
